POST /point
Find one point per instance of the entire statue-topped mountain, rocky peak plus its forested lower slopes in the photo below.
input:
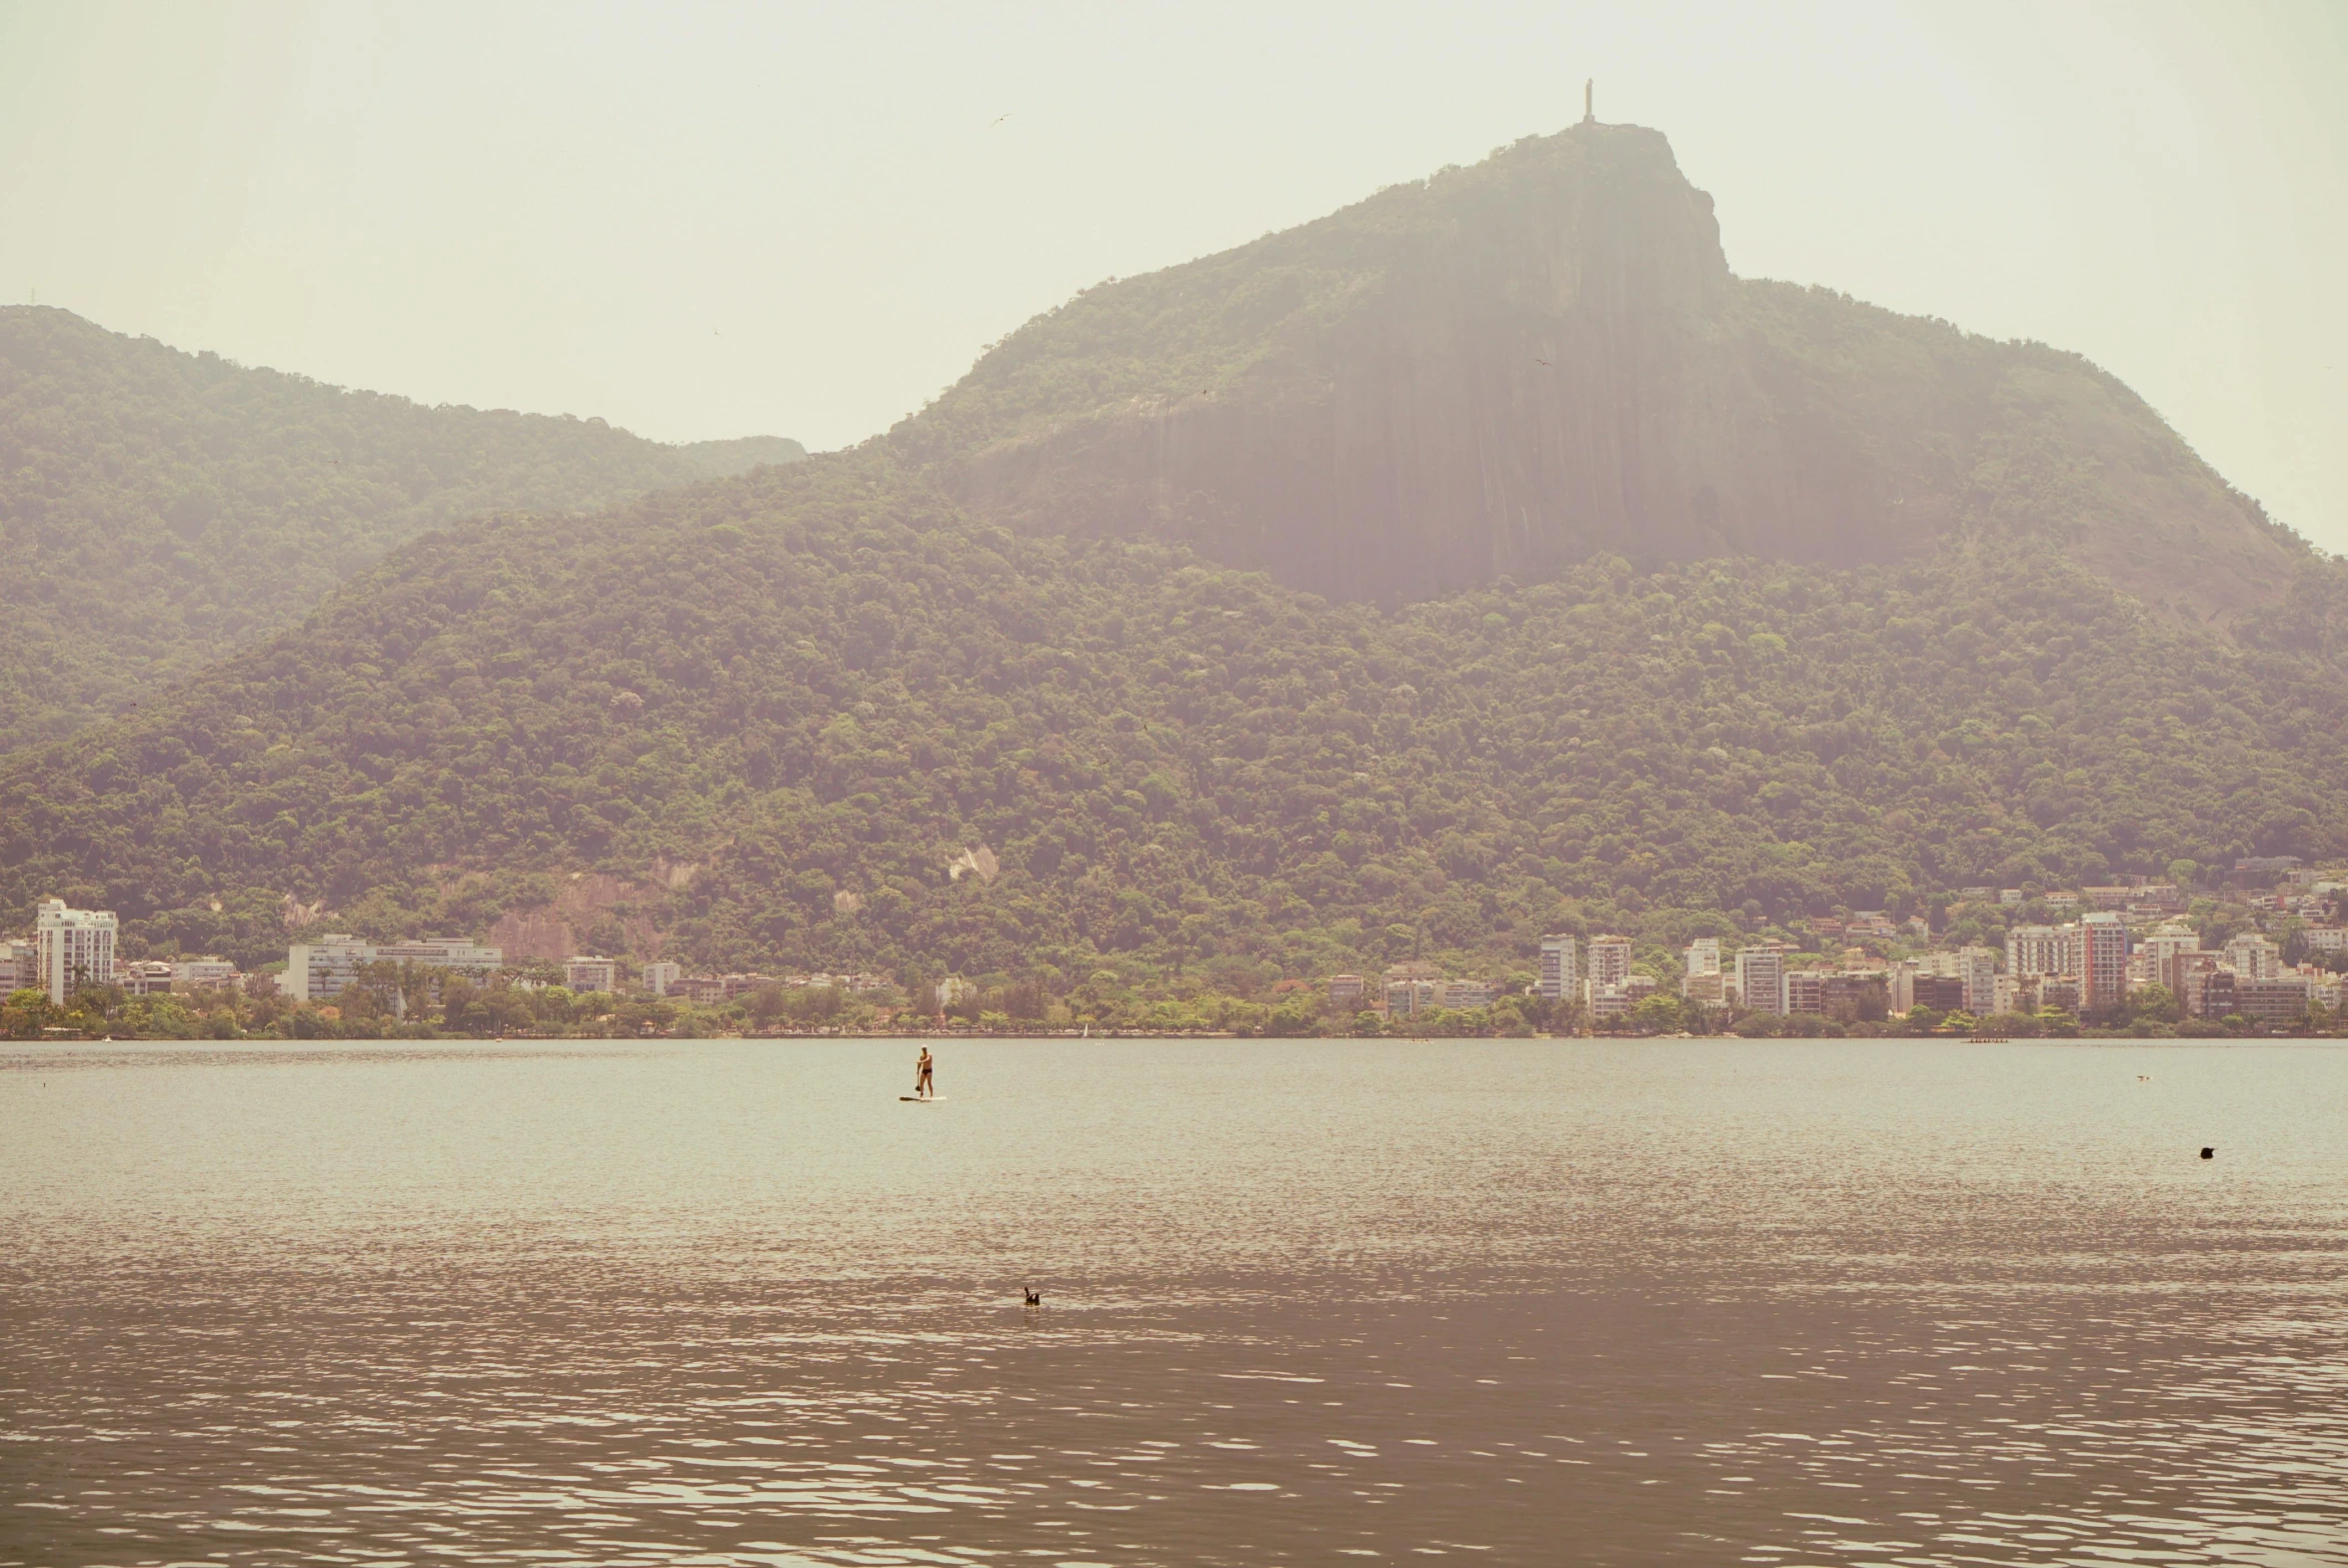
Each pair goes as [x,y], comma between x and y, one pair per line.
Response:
[1748,602]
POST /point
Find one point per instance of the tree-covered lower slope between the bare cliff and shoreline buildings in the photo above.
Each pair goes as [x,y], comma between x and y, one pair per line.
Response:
[785,705]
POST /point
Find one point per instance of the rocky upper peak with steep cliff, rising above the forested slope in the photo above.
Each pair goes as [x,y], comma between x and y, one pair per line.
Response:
[1513,367]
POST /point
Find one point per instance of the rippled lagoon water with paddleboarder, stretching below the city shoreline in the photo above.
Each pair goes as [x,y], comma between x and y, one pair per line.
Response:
[1302,1304]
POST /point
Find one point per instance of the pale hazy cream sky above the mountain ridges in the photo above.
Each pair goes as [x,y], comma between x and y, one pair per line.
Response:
[710,222]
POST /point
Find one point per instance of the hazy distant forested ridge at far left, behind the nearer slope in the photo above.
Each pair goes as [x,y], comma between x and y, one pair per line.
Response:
[163,508]
